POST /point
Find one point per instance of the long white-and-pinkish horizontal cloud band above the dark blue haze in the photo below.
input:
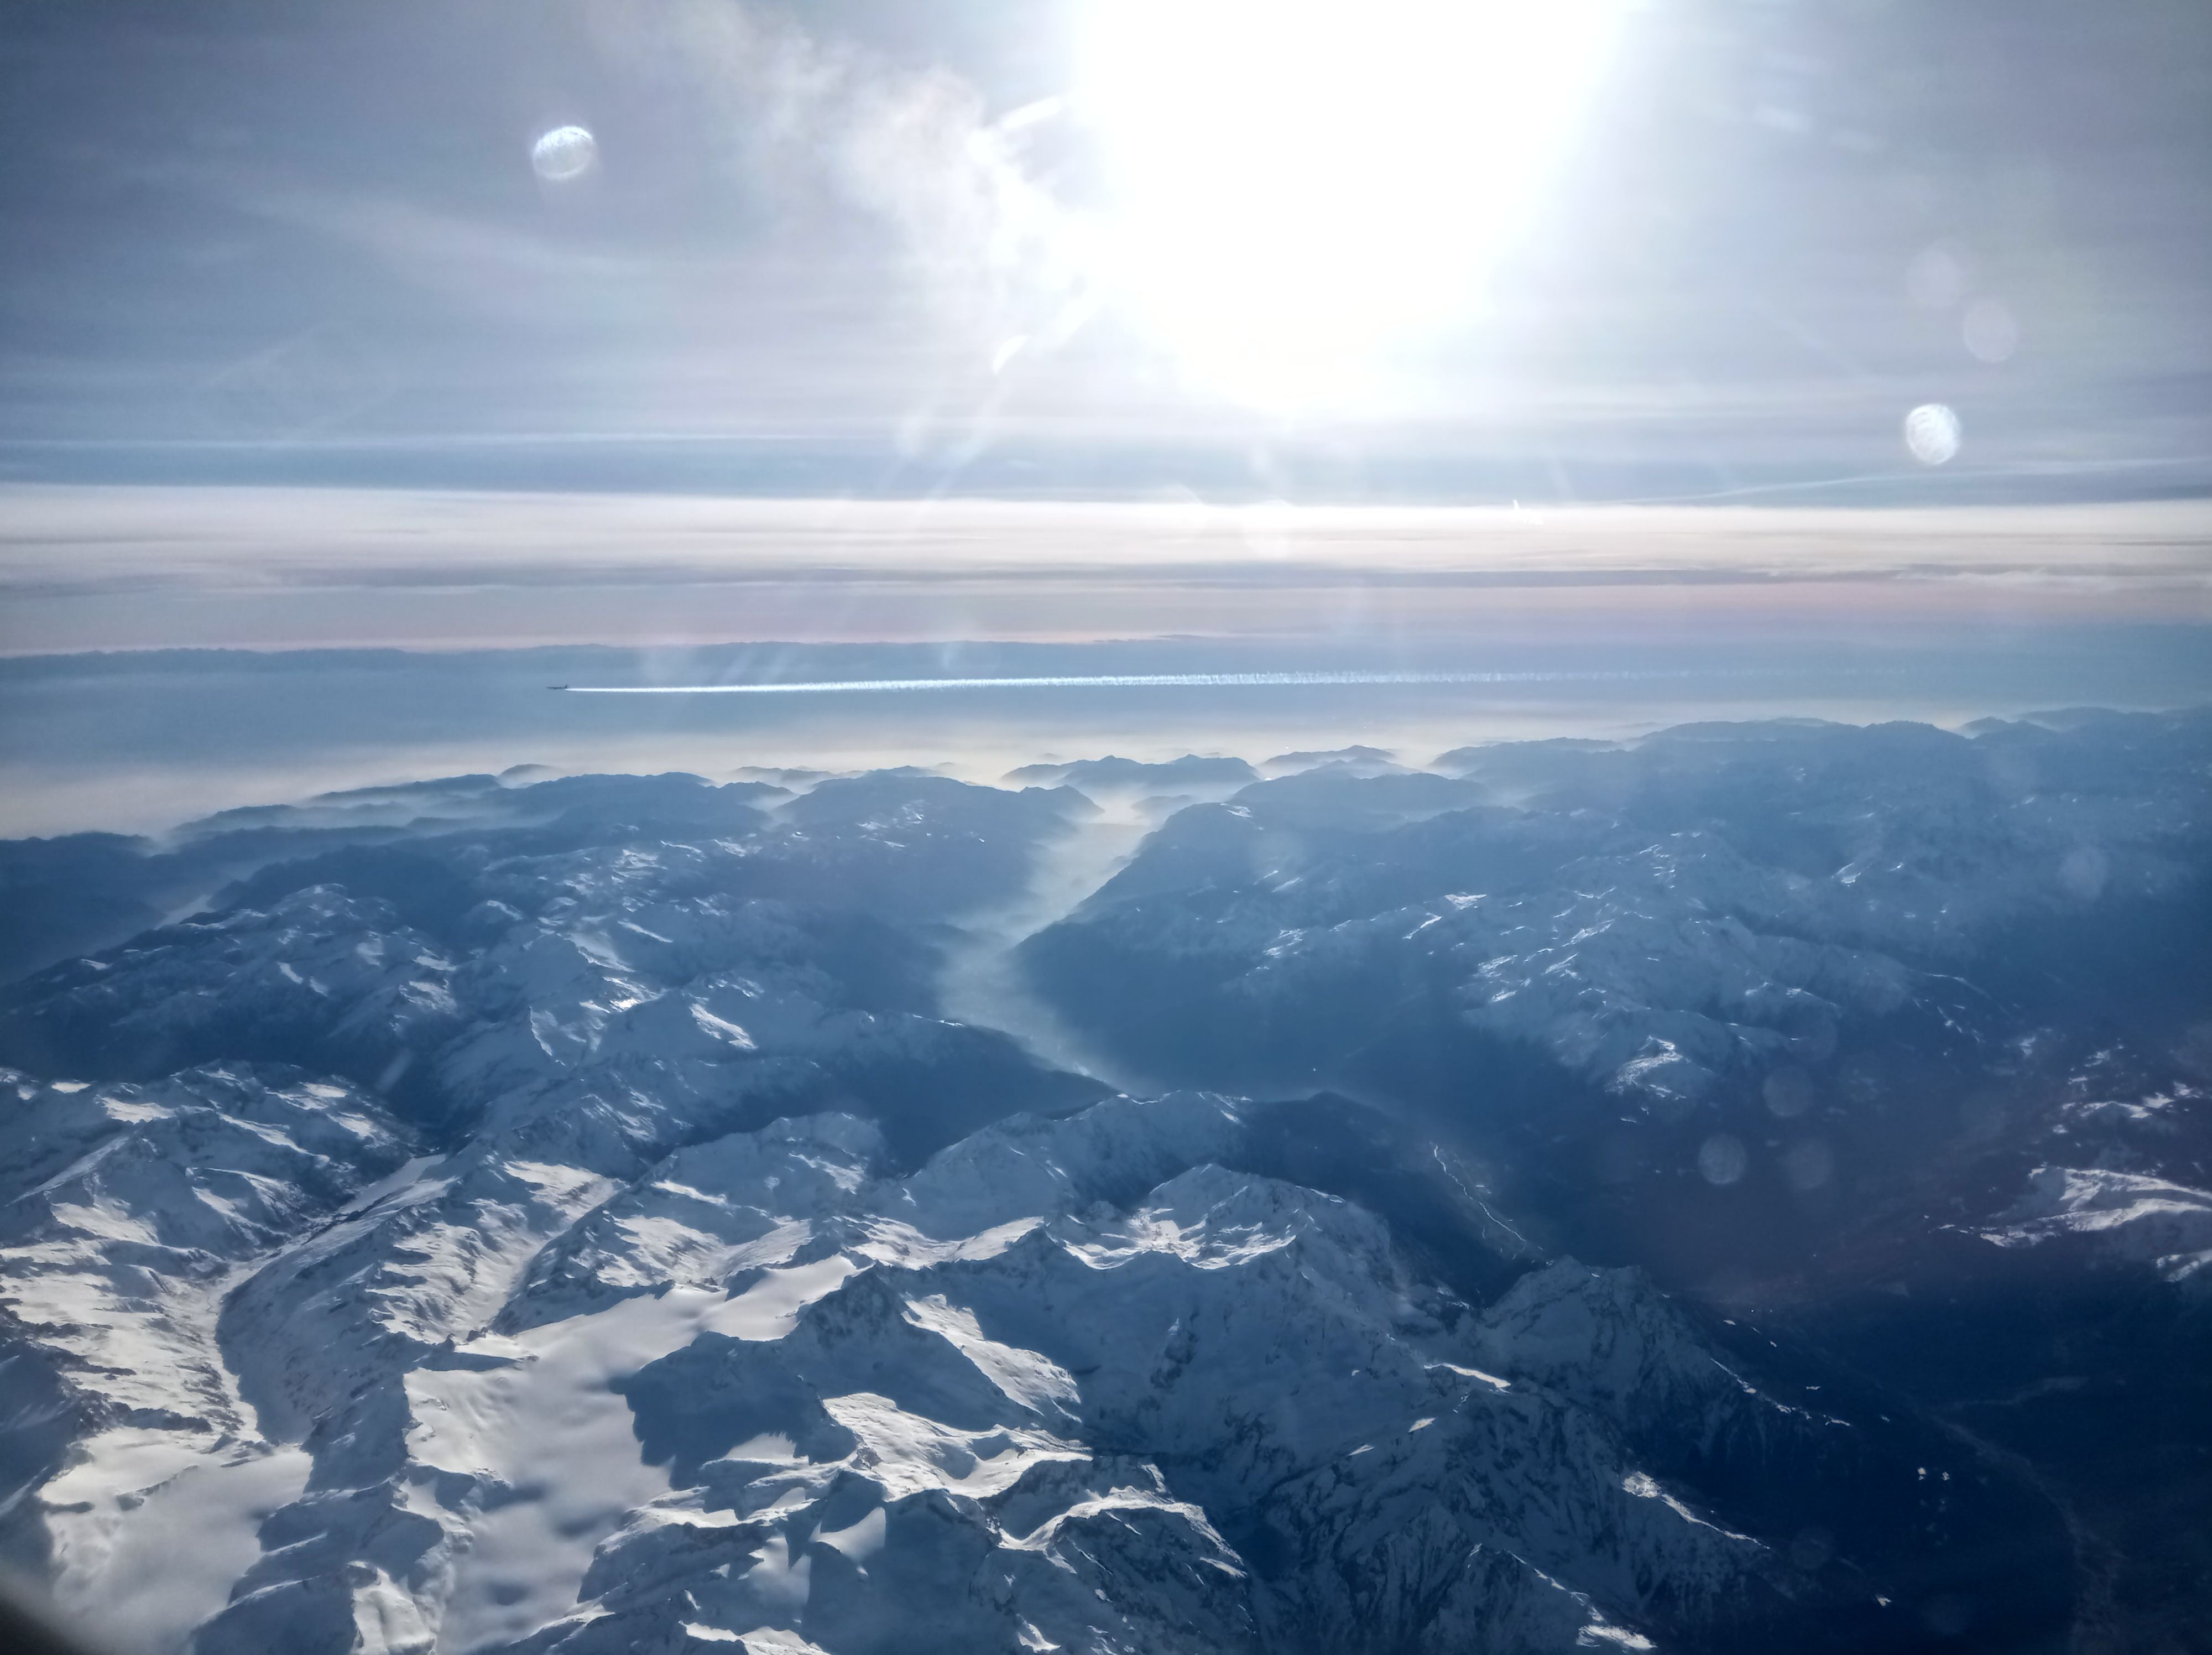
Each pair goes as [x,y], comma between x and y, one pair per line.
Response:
[85,568]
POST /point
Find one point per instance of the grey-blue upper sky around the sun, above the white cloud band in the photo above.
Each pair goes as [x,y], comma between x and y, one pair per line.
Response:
[1313,251]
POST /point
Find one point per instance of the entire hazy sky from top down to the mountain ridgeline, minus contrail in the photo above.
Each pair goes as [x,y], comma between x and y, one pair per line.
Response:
[1669,357]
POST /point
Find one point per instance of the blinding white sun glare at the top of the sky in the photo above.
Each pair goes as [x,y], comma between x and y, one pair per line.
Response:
[1300,185]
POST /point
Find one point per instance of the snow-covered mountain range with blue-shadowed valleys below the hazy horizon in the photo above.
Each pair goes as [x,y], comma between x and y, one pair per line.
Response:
[1490,1207]
